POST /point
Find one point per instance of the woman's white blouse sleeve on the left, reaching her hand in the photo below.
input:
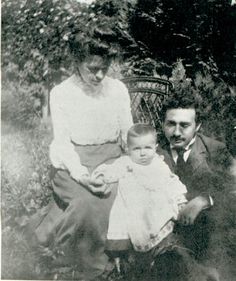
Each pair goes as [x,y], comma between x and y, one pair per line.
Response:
[62,153]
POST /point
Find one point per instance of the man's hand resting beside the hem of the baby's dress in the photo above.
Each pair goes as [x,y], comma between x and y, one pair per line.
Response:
[192,209]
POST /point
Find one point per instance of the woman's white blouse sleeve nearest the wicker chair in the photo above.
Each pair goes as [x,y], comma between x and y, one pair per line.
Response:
[125,116]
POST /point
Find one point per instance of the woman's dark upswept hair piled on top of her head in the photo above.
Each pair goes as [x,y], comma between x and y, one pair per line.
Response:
[98,39]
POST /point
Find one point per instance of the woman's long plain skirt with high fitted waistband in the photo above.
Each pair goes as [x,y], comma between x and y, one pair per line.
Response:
[76,221]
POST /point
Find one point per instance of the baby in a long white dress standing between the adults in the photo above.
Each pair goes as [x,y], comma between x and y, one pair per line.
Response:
[149,195]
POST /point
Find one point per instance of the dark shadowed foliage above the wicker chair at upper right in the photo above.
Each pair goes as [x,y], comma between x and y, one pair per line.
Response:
[191,30]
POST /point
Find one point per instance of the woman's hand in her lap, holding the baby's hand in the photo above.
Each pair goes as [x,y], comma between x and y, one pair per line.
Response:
[95,183]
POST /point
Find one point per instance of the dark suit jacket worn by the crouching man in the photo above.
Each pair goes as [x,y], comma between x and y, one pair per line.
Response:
[206,173]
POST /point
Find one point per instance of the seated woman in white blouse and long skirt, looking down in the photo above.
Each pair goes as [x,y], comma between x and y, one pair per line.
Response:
[90,115]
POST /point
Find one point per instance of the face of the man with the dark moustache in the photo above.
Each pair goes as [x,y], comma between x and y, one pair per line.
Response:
[180,126]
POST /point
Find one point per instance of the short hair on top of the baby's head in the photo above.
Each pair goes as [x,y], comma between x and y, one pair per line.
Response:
[140,129]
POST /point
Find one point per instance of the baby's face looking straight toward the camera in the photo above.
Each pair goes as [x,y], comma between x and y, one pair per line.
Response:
[142,149]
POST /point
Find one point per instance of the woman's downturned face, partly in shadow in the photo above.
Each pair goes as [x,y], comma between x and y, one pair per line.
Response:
[93,69]
